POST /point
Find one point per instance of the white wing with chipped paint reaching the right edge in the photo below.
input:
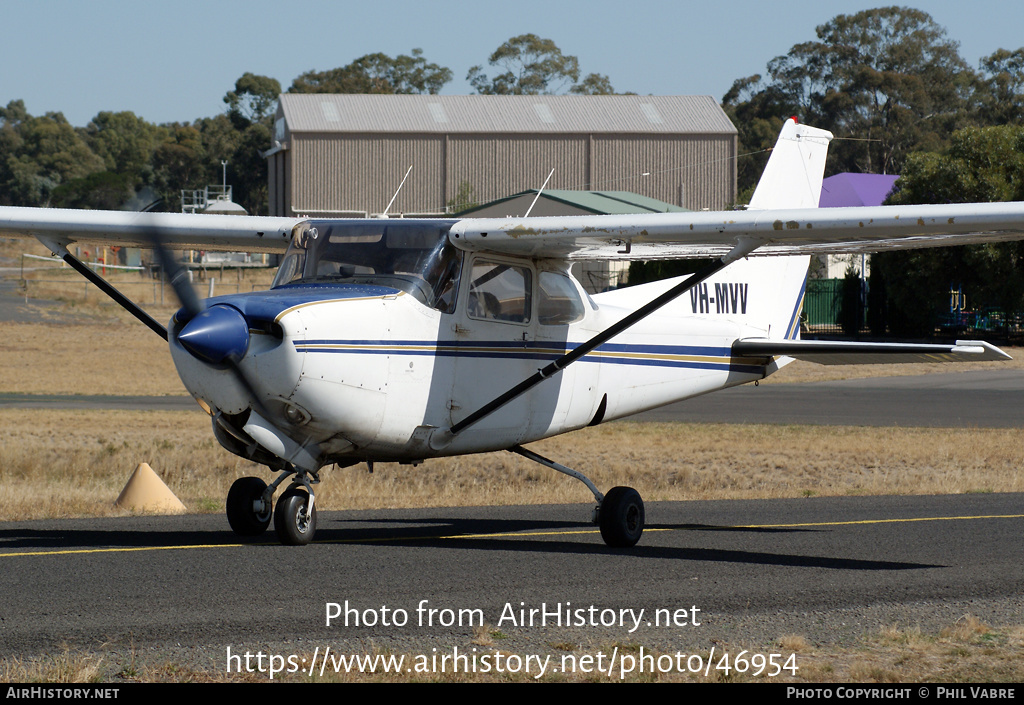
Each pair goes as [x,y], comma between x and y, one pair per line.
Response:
[681,236]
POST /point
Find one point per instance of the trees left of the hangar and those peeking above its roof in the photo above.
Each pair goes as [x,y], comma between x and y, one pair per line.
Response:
[119,159]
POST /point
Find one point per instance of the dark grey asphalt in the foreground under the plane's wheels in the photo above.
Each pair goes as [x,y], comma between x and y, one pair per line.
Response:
[829,569]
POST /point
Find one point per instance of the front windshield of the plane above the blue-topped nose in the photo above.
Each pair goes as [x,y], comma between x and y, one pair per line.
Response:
[414,257]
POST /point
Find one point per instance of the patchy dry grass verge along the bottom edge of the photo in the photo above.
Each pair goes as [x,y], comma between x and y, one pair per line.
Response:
[965,652]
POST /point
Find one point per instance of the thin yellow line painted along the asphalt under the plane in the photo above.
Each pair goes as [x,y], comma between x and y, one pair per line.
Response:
[396,540]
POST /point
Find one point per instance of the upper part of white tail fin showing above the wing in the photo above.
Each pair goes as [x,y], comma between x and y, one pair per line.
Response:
[793,177]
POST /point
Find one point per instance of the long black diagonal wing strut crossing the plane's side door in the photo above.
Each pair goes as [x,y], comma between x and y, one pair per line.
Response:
[744,248]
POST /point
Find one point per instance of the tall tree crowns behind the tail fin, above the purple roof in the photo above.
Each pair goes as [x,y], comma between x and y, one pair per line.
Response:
[888,82]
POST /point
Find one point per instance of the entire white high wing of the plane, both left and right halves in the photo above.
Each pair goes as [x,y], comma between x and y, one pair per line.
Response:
[654,236]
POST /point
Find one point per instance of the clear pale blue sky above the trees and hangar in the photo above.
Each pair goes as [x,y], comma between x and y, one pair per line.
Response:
[175,62]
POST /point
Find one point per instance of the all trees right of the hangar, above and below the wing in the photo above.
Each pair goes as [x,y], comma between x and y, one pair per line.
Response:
[893,89]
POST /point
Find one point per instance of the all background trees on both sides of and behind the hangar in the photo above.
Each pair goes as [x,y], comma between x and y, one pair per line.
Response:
[890,84]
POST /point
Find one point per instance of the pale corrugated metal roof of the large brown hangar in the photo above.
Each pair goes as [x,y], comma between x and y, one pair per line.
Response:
[504,114]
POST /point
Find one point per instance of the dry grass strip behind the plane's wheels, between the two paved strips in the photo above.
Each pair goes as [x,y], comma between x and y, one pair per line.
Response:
[53,451]
